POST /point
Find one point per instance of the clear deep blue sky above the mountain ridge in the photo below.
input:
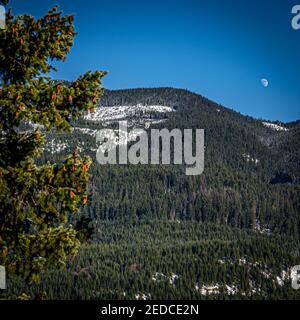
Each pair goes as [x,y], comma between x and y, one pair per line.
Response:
[218,48]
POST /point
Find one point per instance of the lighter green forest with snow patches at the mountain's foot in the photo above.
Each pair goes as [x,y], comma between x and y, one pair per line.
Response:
[136,261]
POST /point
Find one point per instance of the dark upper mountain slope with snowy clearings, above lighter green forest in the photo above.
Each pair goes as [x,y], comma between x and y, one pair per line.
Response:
[251,175]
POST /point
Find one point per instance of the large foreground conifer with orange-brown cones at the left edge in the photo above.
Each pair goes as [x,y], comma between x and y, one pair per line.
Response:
[36,200]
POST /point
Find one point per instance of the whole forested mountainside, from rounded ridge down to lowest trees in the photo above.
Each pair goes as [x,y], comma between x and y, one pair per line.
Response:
[230,233]
